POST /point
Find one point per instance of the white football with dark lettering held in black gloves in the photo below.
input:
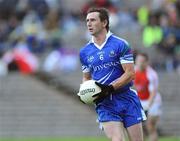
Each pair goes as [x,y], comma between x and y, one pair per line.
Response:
[87,90]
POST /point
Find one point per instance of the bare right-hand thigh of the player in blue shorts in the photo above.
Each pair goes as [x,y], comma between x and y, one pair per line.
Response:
[135,132]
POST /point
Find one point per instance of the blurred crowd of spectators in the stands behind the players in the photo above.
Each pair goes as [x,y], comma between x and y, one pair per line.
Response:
[41,34]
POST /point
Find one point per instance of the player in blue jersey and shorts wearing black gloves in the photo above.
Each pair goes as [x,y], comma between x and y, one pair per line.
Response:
[108,60]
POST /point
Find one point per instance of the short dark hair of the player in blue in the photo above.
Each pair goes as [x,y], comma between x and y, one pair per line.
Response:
[103,14]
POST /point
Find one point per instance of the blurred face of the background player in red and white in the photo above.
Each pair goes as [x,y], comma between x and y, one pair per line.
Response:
[141,62]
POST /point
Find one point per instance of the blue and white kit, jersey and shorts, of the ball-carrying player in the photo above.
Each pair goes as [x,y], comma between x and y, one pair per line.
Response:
[105,66]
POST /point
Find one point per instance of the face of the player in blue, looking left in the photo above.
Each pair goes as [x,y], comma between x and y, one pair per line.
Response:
[94,24]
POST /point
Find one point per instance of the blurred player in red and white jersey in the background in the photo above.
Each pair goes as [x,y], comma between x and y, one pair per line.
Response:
[146,84]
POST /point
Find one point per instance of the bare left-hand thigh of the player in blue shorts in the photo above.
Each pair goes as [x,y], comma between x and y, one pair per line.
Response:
[113,129]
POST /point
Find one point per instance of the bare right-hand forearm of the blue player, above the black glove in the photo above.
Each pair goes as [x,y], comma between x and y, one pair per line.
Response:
[127,77]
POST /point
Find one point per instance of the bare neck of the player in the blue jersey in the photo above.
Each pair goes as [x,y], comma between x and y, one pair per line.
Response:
[100,38]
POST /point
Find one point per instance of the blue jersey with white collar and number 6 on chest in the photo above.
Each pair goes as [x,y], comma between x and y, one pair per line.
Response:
[105,65]
